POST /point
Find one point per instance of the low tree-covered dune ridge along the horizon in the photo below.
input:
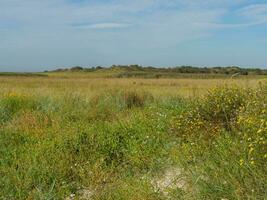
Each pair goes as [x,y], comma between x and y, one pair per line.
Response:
[130,71]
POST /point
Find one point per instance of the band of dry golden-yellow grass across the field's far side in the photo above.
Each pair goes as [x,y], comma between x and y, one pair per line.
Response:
[90,86]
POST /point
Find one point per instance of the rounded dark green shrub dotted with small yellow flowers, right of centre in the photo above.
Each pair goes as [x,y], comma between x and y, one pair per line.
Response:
[218,109]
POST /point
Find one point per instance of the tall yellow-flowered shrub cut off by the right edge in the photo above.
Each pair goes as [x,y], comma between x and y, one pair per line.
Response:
[252,128]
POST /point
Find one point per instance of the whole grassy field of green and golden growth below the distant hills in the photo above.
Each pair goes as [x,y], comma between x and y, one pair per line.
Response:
[79,136]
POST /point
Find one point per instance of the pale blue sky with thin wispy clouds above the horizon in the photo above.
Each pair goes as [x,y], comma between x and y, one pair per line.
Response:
[37,35]
